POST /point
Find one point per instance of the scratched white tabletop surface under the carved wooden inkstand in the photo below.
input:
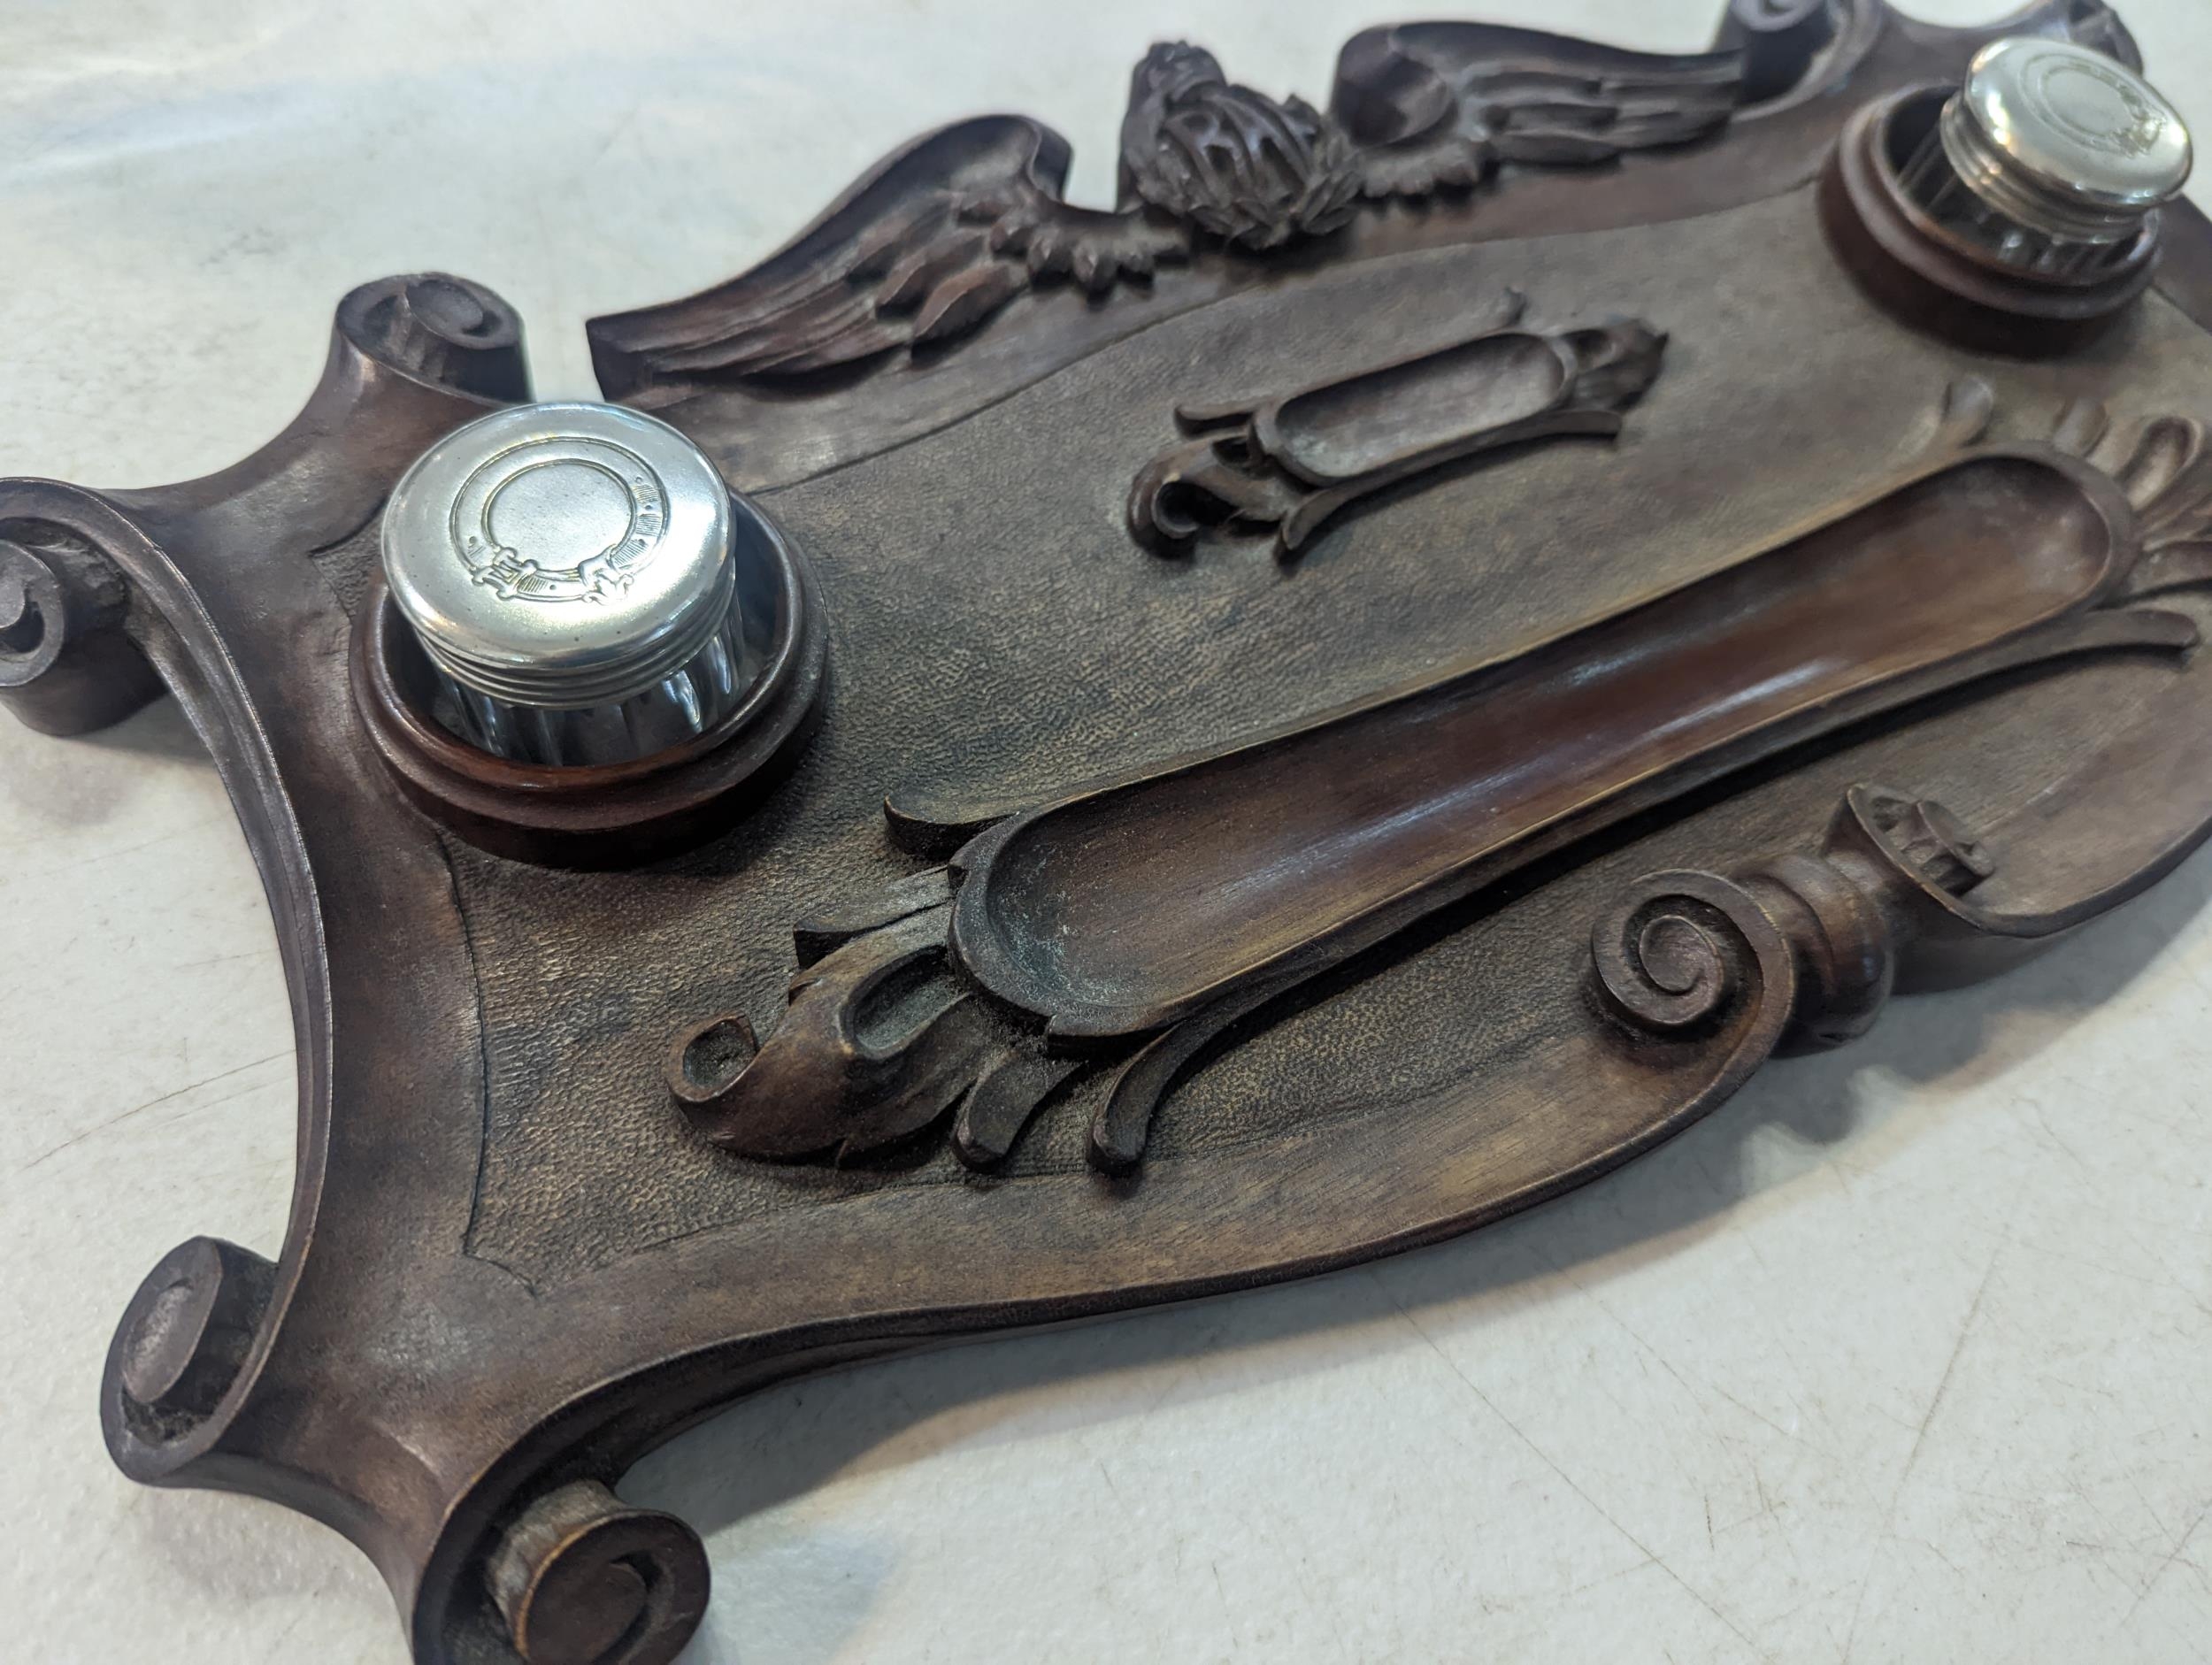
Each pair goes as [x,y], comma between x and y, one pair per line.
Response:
[1901,1357]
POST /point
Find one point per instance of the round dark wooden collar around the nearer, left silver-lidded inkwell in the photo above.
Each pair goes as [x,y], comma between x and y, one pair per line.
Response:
[607,815]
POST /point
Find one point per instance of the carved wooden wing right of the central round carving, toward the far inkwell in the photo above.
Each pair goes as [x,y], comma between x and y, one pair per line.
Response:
[1437,107]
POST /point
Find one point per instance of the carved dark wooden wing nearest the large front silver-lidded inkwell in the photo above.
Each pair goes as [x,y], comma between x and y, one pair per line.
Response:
[926,249]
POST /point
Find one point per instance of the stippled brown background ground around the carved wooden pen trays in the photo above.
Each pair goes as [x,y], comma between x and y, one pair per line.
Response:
[968,693]
